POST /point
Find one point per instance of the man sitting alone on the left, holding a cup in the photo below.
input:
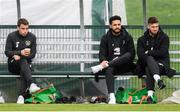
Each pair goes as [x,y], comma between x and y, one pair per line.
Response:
[21,49]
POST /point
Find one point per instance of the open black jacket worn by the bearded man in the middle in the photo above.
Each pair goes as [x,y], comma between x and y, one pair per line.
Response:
[126,45]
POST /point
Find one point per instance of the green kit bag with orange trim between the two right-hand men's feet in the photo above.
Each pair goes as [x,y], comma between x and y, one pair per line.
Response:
[132,96]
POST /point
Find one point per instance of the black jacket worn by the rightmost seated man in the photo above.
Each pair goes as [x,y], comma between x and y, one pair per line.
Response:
[159,49]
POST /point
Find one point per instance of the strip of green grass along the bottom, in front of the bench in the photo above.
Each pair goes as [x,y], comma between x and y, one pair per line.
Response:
[89,107]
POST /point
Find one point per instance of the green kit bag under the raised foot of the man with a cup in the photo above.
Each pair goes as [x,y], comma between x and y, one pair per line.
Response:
[45,95]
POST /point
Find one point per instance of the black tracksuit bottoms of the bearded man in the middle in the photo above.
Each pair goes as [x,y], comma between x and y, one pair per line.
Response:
[116,66]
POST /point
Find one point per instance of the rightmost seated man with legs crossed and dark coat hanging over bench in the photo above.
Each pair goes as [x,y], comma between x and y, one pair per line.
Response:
[153,56]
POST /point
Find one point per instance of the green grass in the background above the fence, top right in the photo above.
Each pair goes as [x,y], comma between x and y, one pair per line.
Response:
[166,10]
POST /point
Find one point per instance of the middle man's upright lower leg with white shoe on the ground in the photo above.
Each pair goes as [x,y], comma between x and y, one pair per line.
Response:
[110,84]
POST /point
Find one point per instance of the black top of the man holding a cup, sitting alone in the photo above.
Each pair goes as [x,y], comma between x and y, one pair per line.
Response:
[16,42]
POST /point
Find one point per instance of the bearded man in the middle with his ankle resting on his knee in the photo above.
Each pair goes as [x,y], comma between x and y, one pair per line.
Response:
[116,54]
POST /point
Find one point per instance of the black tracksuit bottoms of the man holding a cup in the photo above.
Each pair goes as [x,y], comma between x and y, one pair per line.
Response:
[21,67]
